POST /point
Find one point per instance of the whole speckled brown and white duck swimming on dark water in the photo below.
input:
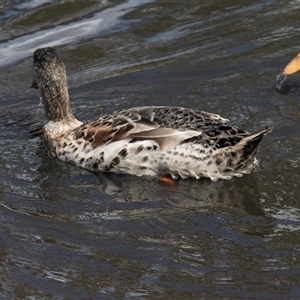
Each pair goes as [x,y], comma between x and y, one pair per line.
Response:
[162,141]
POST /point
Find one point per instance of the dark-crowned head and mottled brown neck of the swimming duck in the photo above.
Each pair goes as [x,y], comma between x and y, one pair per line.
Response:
[49,75]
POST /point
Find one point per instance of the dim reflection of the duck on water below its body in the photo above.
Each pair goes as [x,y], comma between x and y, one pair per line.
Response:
[239,194]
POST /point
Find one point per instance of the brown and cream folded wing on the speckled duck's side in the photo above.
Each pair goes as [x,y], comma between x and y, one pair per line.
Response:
[132,127]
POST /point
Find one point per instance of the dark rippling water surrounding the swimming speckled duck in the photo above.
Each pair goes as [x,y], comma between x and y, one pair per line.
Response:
[69,234]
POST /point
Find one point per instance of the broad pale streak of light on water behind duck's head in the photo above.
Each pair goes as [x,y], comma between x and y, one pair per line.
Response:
[23,46]
